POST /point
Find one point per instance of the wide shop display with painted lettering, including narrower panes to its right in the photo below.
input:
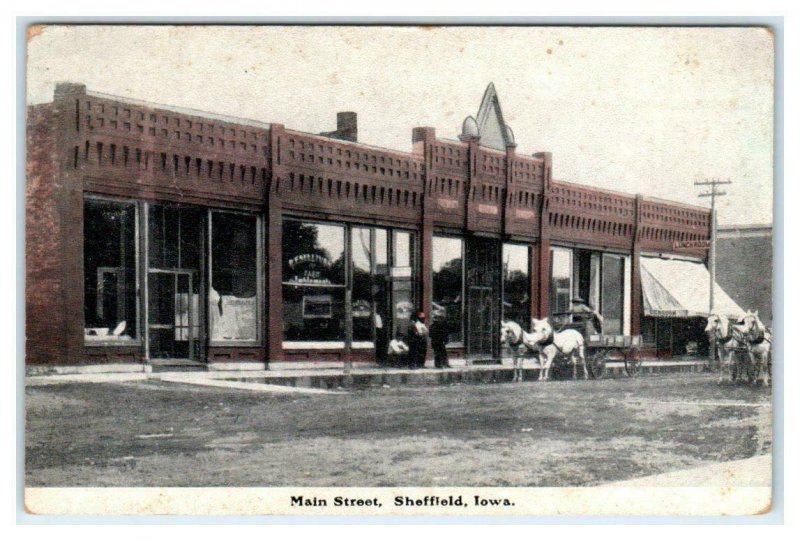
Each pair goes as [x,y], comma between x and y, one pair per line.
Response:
[335,271]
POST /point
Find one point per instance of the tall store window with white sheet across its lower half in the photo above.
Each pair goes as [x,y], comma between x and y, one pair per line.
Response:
[234,292]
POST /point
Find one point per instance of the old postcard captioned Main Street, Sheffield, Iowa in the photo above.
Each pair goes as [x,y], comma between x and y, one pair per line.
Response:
[414,271]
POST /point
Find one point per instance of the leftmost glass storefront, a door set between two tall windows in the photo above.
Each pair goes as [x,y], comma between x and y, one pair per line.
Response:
[172,279]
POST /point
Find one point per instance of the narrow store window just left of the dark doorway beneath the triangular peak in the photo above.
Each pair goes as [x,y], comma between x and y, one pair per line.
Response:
[448,284]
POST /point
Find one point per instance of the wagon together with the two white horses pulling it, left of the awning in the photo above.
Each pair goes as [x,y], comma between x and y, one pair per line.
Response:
[581,343]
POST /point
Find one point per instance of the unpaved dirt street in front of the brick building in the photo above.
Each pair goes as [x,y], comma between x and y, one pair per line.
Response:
[560,433]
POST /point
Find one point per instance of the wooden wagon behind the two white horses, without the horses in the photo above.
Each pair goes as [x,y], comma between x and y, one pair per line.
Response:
[601,348]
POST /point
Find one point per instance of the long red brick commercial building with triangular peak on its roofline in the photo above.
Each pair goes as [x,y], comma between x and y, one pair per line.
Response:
[158,236]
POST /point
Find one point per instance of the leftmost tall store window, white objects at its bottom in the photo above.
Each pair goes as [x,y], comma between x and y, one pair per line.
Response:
[109,264]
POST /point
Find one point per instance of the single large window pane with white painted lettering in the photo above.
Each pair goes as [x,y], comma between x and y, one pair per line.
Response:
[313,282]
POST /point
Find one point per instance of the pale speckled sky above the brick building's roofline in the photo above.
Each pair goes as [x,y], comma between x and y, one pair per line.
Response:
[639,110]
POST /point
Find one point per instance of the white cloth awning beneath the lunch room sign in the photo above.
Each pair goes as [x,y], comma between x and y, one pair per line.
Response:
[676,288]
